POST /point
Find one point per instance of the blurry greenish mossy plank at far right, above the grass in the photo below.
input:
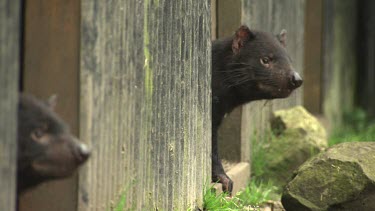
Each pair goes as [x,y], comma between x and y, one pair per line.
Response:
[340,63]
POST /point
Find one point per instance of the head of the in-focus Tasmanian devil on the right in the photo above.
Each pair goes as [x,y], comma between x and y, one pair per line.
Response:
[260,66]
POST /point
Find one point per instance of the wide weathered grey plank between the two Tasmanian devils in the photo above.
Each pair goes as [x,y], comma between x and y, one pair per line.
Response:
[145,103]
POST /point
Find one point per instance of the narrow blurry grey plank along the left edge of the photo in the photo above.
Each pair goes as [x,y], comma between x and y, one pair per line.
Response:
[10,14]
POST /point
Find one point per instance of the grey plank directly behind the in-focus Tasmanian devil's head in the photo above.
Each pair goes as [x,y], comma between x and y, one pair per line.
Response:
[273,16]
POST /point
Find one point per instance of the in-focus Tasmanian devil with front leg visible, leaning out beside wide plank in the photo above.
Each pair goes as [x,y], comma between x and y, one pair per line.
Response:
[250,65]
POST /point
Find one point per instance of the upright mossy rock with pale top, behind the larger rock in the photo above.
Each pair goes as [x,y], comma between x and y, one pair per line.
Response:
[299,136]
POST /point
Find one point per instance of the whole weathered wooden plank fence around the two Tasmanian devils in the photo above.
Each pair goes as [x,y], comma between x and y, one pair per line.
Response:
[133,80]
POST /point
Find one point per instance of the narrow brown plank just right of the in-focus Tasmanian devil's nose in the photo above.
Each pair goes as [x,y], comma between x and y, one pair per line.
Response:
[313,56]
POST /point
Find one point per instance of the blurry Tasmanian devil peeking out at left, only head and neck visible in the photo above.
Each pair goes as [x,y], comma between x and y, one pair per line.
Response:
[46,148]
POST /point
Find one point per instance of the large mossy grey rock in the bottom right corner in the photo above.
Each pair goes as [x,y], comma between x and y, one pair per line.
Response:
[341,178]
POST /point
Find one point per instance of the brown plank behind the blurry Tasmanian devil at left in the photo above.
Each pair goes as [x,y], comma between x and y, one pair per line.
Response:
[51,55]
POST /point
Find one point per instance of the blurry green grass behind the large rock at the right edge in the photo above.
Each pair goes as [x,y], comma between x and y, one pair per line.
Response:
[356,127]
